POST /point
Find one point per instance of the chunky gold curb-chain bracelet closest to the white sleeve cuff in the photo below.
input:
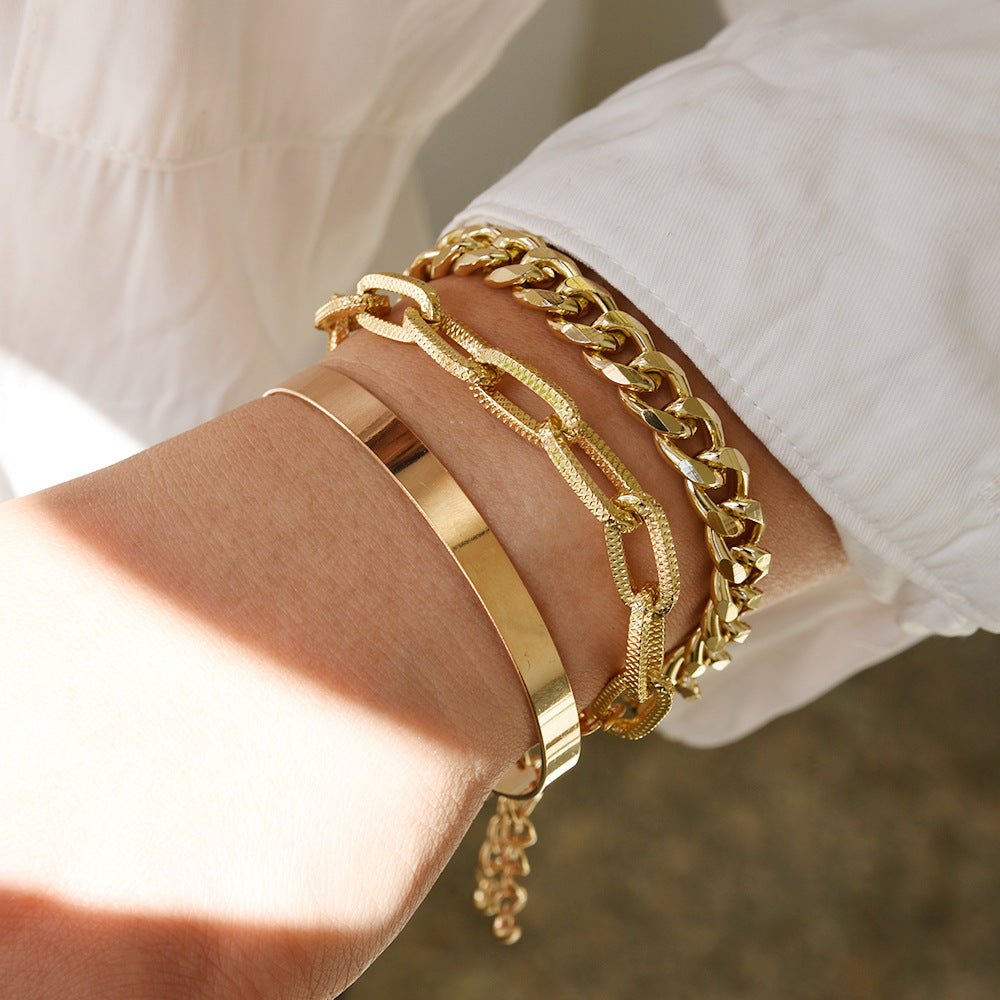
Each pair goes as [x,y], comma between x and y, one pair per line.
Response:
[716,477]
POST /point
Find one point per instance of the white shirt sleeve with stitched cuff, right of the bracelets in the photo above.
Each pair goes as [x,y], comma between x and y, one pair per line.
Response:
[810,208]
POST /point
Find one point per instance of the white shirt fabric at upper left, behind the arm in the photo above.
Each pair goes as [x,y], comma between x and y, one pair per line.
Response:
[181,183]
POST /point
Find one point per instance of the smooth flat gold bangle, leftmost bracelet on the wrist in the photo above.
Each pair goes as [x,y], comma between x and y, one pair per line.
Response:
[486,566]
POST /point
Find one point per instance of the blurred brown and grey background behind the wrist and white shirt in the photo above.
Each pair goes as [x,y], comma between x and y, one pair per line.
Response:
[847,851]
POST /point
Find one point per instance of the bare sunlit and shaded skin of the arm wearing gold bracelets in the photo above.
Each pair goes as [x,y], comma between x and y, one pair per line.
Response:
[248,704]
